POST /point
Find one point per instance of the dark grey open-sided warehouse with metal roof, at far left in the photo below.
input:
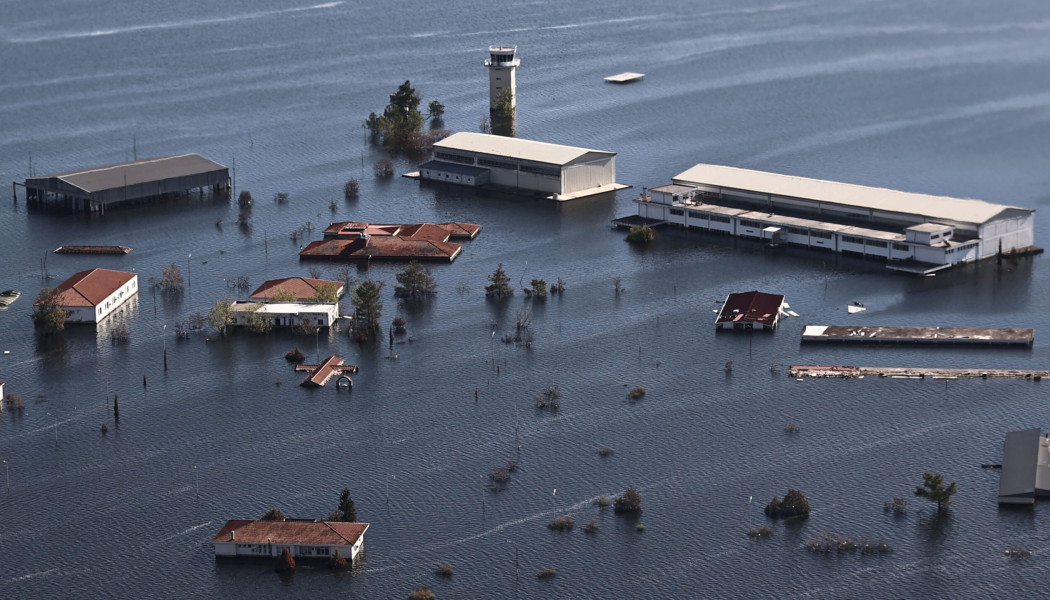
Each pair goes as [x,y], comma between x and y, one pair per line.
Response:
[100,189]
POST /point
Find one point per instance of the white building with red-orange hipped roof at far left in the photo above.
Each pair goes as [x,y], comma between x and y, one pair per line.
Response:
[90,297]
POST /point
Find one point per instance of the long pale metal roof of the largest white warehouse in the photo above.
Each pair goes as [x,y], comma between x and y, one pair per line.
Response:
[937,208]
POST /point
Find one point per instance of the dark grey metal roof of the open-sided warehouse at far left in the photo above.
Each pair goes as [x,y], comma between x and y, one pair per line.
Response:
[123,175]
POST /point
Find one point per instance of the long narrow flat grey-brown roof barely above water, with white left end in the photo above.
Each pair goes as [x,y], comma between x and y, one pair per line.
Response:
[928,336]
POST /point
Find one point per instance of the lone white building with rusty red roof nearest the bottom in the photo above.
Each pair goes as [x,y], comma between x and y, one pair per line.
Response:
[304,539]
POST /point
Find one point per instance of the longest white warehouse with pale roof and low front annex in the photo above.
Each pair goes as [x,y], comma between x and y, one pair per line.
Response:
[914,233]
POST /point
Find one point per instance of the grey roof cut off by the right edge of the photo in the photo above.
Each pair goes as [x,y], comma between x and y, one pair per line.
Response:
[1025,473]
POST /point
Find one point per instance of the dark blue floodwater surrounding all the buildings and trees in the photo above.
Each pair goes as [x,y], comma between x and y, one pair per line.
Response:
[947,98]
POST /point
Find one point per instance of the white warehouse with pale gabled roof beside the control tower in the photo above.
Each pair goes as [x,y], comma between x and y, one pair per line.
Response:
[521,167]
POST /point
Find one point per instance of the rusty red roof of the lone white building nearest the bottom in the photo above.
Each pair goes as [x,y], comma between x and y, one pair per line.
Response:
[291,532]
